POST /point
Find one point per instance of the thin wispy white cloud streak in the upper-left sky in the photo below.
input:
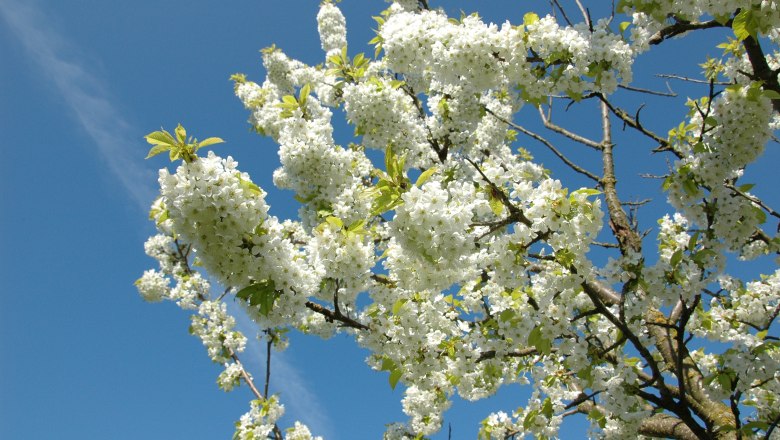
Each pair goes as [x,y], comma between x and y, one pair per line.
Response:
[85,94]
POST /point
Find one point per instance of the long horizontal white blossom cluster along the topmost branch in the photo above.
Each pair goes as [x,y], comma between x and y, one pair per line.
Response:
[428,47]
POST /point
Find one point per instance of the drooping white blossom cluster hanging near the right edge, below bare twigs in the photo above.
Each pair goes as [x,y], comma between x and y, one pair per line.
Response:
[722,137]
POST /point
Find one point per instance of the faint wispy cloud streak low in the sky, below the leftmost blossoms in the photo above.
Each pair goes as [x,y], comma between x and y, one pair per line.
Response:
[301,404]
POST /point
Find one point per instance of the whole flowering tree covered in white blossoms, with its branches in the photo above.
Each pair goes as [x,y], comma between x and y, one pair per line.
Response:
[463,266]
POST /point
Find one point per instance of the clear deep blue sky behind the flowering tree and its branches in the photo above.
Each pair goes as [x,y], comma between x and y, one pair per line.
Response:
[81,82]
